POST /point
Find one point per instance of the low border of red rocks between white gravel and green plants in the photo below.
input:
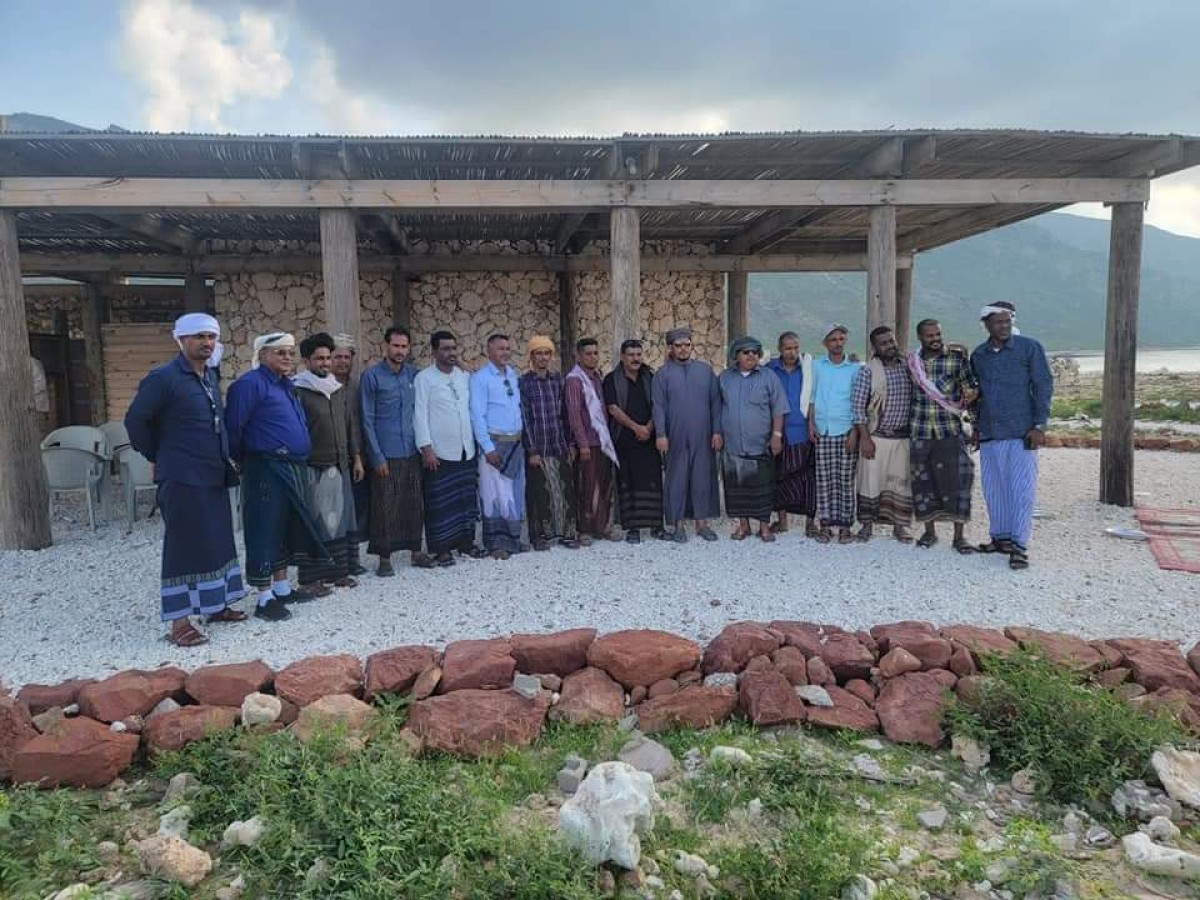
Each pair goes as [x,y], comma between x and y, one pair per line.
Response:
[893,679]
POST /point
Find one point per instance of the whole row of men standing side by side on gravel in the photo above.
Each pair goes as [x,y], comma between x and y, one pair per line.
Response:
[413,460]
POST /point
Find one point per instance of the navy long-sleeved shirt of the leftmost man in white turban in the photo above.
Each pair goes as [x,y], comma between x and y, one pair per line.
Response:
[176,422]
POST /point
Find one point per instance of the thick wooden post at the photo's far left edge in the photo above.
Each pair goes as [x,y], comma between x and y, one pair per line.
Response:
[25,502]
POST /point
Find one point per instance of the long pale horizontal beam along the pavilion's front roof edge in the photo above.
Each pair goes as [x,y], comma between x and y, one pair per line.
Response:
[89,194]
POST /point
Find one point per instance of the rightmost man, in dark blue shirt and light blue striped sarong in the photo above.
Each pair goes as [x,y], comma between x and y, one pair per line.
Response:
[1016,387]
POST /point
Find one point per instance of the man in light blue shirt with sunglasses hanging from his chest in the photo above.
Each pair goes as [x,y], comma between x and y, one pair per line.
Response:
[496,421]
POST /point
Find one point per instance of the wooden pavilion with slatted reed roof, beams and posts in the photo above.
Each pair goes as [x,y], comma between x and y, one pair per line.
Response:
[95,206]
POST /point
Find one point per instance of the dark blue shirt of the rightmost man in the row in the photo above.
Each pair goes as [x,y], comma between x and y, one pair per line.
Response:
[1016,387]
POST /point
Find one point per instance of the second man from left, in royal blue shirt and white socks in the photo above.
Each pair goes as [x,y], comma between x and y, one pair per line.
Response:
[269,439]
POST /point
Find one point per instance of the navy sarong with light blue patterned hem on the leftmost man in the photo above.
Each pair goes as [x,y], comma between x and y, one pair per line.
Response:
[201,574]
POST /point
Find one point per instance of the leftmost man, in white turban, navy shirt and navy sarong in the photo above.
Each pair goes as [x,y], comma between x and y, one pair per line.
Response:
[176,422]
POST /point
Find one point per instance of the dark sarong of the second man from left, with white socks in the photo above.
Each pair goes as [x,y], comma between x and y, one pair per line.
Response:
[278,525]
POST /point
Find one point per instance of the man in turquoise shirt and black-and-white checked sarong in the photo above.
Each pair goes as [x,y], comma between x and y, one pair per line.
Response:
[832,430]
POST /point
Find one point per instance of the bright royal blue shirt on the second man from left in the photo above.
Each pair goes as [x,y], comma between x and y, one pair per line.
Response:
[265,417]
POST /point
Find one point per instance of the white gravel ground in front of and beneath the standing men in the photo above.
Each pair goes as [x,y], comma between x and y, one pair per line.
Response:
[88,607]
